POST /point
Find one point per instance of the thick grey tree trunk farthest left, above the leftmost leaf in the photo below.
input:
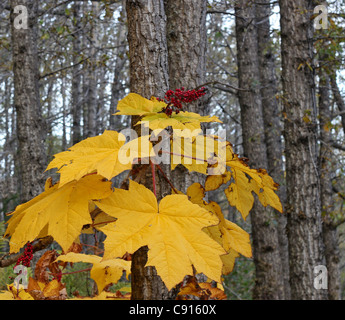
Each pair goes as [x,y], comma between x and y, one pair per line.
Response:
[30,125]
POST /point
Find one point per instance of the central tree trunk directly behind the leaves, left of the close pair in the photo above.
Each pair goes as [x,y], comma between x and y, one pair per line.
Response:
[148,77]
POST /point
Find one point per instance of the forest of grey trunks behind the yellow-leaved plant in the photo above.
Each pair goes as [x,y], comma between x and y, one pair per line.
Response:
[273,79]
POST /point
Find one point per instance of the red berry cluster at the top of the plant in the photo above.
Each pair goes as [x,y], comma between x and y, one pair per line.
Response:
[174,99]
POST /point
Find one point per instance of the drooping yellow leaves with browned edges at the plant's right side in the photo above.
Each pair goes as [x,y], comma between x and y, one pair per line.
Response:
[228,166]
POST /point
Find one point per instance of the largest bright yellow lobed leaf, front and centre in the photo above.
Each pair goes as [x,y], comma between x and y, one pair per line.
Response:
[172,231]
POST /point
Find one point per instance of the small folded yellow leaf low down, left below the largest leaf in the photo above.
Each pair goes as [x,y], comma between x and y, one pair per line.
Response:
[103,272]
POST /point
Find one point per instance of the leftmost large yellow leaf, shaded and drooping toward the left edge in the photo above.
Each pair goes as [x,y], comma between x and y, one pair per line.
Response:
[58,212]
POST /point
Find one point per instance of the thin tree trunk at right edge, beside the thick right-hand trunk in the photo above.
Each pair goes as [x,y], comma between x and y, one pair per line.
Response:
[330,235]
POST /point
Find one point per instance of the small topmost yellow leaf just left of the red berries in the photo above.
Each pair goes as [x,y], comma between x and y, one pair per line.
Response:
[134,104]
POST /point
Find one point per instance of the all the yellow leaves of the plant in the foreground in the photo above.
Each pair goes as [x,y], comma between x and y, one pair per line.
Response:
[184,233]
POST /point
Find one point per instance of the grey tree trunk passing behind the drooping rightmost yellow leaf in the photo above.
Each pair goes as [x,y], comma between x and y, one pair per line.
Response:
[269,280]
